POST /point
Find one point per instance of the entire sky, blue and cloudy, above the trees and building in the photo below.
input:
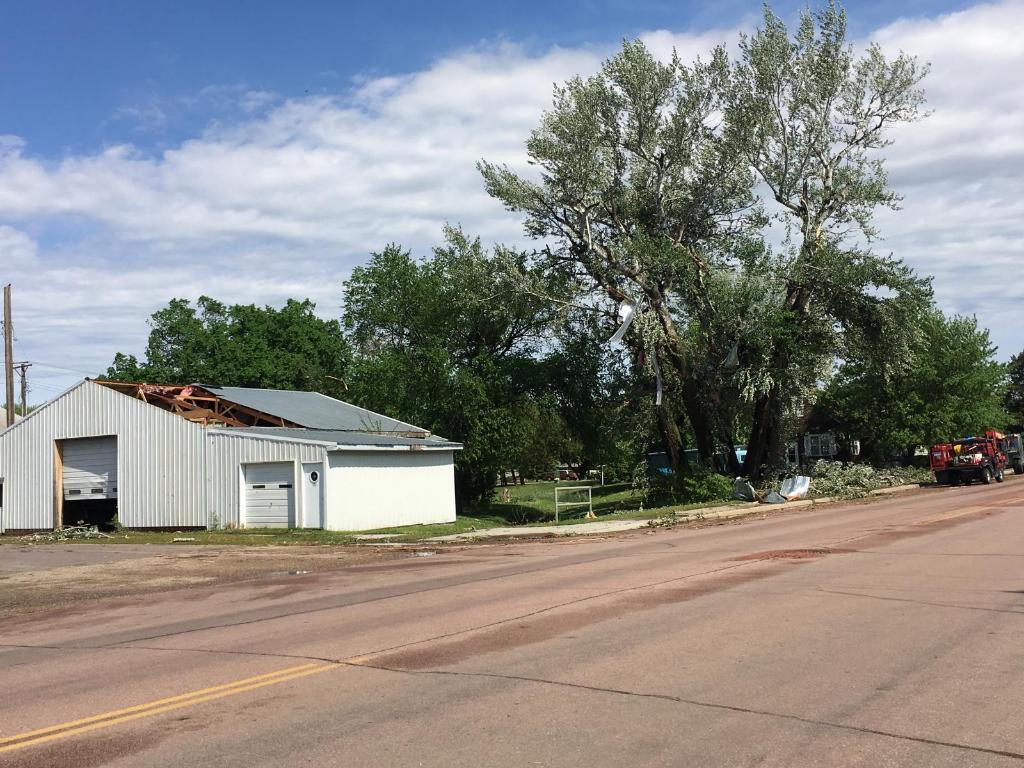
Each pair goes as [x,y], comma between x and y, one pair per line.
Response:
[255,152]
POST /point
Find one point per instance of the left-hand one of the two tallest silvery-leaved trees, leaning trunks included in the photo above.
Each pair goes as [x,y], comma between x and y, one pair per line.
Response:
[636,193]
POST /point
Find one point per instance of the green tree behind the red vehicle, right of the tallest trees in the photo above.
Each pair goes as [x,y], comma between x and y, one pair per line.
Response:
[953,387]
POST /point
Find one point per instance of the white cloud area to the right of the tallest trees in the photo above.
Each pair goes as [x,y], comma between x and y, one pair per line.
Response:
[962,169]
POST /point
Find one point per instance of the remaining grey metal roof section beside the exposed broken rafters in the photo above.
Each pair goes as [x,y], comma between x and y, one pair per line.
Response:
[314,411]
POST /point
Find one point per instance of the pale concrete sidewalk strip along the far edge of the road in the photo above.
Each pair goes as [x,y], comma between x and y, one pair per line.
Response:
[721,513]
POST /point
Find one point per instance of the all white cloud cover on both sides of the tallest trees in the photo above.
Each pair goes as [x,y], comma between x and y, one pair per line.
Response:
[281,198]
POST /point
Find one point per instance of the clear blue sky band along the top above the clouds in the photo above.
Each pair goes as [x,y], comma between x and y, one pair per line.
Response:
[68,67]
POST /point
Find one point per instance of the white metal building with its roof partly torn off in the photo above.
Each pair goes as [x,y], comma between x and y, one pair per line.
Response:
[215,457]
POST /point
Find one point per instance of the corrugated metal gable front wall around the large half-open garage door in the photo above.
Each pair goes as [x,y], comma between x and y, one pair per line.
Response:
[160,460]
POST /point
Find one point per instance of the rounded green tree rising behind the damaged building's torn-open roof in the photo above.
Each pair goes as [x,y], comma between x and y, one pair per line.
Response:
[240,346]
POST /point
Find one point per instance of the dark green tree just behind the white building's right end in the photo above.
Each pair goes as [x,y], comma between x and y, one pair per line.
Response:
[443,344]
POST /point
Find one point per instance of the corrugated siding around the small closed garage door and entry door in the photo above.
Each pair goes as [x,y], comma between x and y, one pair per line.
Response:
[226,455]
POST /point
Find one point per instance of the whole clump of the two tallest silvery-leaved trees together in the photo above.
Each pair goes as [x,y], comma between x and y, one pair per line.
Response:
[646,197]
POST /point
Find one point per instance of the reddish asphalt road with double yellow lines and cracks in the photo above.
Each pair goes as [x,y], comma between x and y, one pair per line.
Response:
[875,634]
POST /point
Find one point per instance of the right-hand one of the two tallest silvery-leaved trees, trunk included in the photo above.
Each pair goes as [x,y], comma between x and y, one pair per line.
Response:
[810,118]
